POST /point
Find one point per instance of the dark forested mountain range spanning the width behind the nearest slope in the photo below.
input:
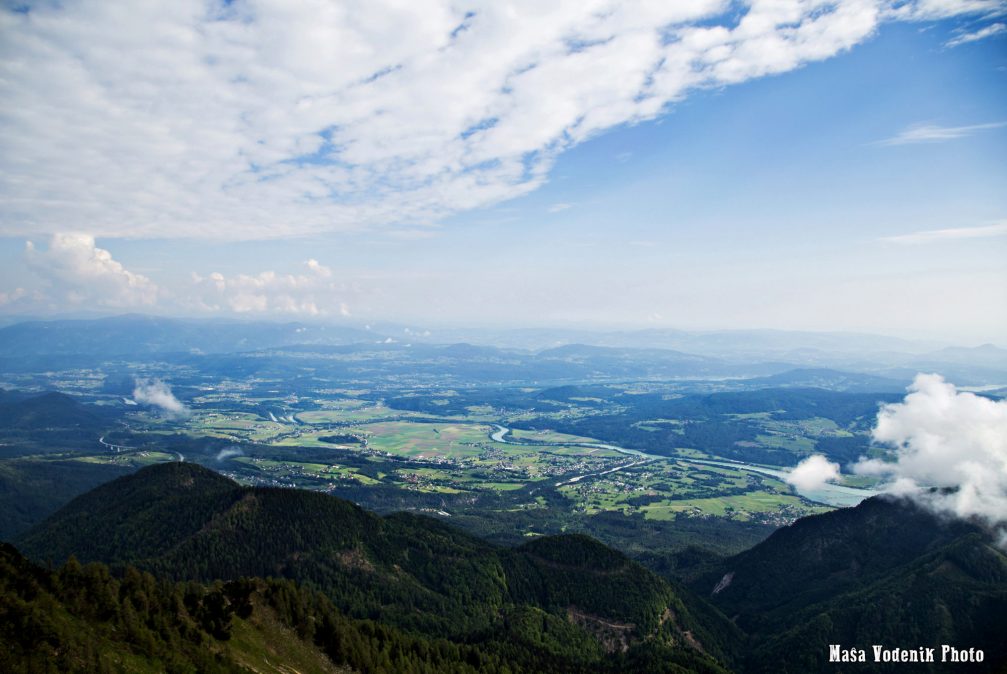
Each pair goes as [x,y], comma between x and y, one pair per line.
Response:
[886,573]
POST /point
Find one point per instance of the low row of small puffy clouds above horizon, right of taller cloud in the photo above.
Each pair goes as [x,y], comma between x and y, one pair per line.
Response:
[313,294]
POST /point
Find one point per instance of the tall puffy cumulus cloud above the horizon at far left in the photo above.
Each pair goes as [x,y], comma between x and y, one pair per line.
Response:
[80,274]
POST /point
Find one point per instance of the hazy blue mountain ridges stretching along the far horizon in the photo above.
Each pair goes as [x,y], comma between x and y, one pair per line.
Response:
[649,353]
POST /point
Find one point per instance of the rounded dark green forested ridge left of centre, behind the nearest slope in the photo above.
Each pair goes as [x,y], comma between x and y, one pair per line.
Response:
[571,598]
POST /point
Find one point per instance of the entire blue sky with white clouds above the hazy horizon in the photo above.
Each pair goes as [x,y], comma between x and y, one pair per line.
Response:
[701,165]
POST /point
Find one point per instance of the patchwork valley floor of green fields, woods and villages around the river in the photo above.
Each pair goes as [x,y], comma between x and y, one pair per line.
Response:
[441,452]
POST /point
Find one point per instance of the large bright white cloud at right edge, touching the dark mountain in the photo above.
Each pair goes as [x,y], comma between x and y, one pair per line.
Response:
[945,439]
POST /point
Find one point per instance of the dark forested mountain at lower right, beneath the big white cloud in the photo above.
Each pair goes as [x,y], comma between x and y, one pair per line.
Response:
[887,573]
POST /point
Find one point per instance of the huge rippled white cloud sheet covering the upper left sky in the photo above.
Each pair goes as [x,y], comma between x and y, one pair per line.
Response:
[266,118]
